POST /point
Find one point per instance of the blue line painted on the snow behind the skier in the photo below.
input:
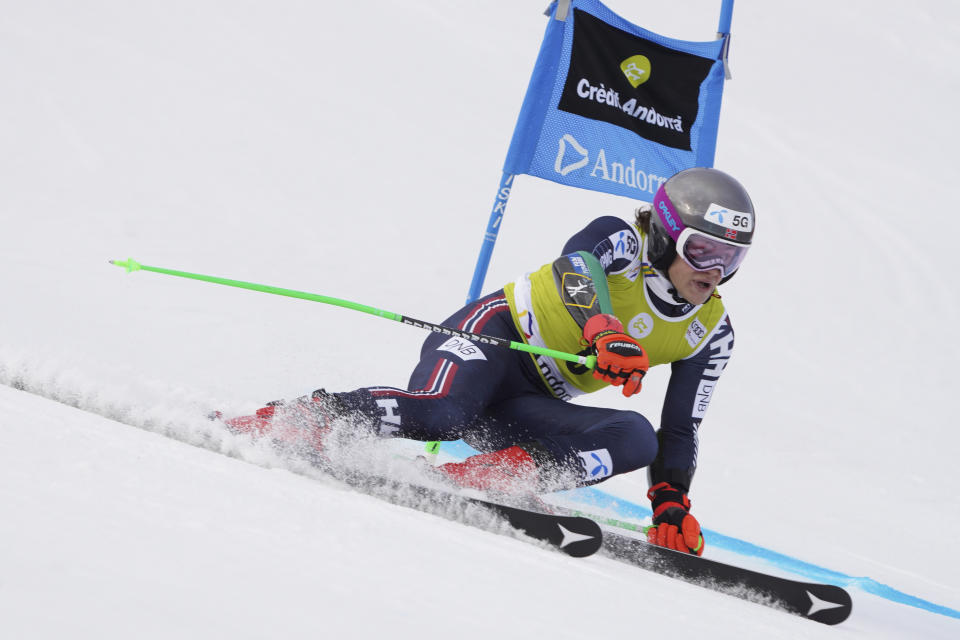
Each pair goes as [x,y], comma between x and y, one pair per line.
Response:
[625,508]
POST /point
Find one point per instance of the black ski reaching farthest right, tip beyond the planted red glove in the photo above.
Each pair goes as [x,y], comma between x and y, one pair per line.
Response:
[824,603]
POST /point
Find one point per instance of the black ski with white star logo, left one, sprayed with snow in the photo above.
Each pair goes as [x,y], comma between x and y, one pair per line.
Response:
[576,536]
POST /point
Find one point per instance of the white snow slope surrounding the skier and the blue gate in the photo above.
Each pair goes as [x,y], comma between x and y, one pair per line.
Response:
[353,150]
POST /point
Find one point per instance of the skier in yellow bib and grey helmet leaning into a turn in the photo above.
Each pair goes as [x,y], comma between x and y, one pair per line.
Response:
[636,296]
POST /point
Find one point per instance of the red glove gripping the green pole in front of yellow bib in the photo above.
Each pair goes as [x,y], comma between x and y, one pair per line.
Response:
[620,359]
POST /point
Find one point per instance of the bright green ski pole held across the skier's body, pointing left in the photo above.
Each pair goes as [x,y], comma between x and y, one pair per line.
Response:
[588,361]
